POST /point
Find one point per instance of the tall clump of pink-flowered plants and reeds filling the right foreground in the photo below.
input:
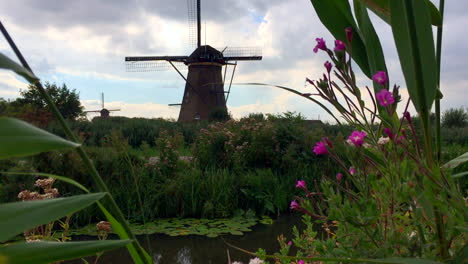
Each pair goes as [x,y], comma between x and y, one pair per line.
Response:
[393,198]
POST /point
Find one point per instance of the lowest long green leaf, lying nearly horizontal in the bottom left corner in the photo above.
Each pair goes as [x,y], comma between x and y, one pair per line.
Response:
[51,252]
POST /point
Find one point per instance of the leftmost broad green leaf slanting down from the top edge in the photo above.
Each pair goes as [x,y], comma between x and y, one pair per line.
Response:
[336,16]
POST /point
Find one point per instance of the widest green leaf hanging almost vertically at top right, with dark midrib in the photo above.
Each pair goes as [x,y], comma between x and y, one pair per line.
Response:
[415,44]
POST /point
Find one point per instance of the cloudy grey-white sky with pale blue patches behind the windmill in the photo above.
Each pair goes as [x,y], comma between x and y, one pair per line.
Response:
[83,44]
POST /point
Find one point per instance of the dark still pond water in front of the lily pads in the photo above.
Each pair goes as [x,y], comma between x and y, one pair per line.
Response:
[204,250]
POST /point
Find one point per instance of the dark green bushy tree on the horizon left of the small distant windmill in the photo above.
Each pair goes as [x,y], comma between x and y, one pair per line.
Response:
[66,100]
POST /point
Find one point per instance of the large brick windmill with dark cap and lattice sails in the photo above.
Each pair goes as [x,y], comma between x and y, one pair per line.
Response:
[204,85]
